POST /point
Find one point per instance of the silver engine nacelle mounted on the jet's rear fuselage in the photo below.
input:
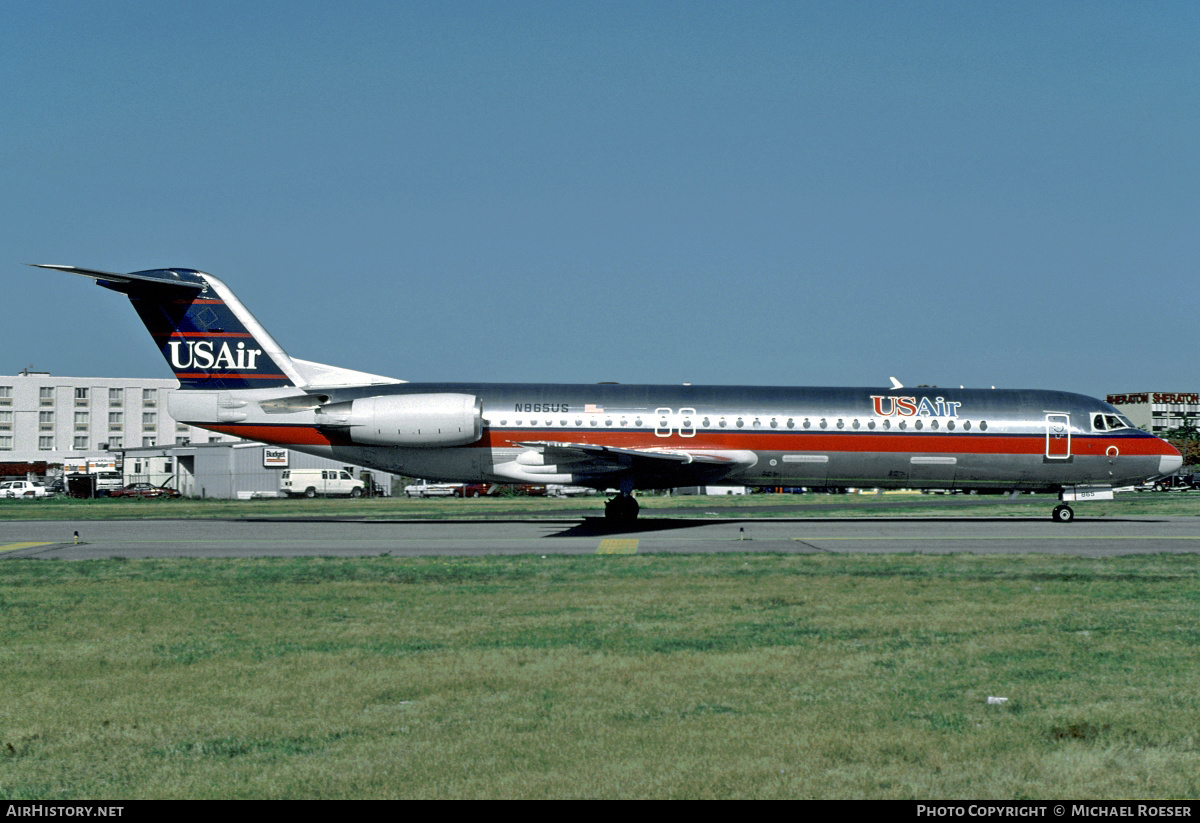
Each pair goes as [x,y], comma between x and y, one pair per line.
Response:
[417,420]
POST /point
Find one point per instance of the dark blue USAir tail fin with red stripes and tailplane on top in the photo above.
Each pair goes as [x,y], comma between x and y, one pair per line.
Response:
[205,333]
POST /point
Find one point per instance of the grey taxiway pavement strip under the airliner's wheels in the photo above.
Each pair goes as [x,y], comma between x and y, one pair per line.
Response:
[587,536]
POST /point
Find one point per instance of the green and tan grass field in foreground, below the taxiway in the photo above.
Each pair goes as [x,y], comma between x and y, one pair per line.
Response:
[643,677]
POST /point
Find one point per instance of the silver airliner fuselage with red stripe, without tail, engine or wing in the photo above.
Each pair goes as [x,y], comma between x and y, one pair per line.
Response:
[904,438]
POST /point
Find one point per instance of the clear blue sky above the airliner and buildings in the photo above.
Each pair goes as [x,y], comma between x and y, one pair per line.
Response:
[784,194]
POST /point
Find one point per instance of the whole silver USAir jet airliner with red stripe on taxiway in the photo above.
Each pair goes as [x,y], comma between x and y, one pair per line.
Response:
[235,379]
